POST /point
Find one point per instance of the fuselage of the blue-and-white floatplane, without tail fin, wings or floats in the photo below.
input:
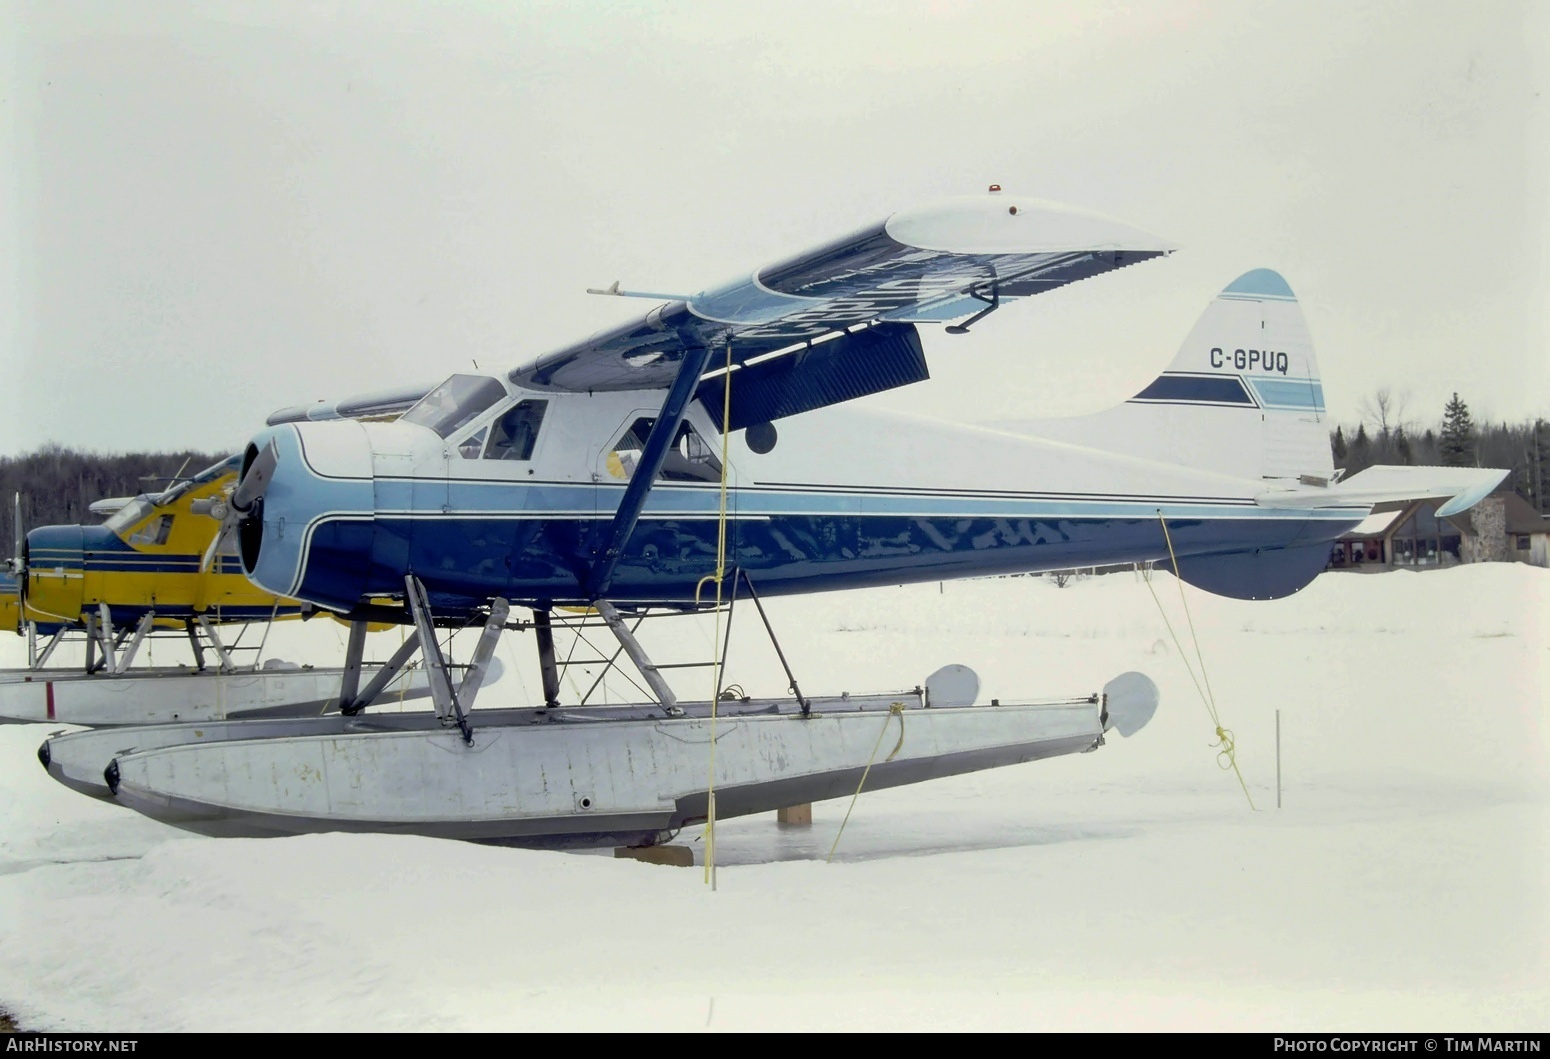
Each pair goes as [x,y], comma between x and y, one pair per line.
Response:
[841,500]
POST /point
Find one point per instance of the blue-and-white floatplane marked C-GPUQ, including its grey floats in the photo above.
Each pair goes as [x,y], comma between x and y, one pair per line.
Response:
[709,449]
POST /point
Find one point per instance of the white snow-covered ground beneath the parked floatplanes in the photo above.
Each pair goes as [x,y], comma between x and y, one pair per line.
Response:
[1402,888]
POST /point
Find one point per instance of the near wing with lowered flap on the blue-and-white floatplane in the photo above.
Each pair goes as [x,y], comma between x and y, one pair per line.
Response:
[931,264]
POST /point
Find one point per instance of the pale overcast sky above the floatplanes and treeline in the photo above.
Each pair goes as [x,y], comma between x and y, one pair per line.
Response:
[213,210]
